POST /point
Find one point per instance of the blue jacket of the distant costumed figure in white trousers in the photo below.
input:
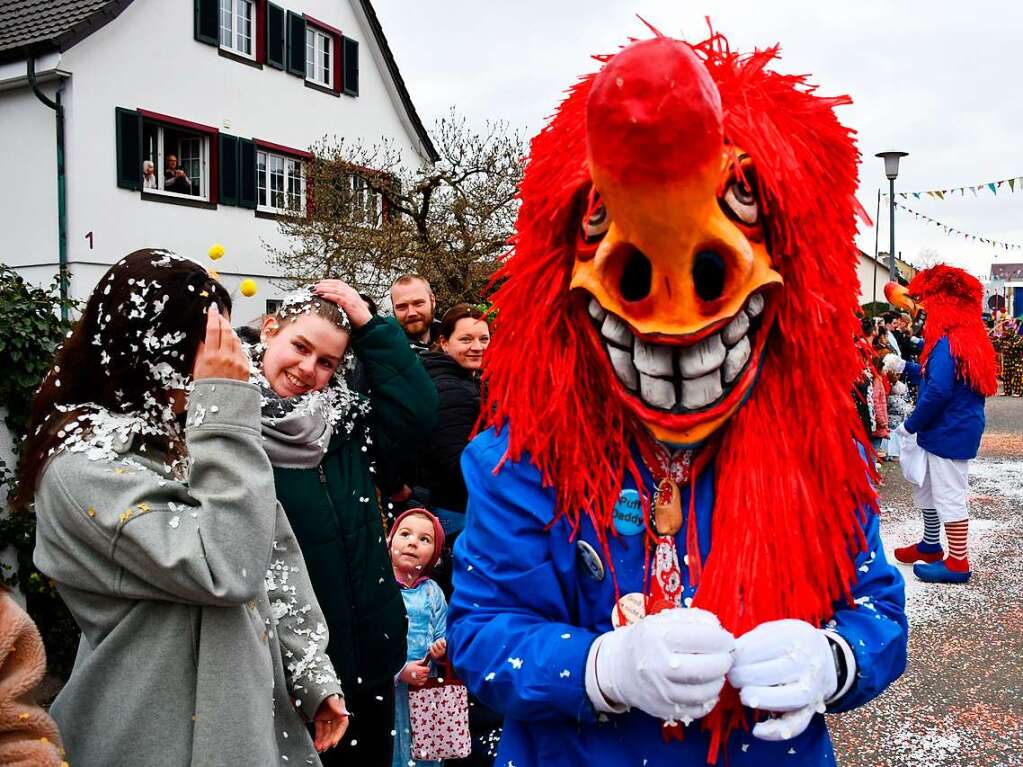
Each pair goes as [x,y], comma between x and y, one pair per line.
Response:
[949,420]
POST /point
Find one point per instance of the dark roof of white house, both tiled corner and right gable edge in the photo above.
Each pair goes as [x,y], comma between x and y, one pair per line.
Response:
[31,28]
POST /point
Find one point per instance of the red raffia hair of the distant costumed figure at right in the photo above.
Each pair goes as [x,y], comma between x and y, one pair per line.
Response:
[954,302]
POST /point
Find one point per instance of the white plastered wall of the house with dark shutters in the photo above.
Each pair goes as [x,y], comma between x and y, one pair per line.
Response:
[148,59]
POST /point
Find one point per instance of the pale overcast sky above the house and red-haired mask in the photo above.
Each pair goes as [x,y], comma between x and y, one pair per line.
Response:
[941,80]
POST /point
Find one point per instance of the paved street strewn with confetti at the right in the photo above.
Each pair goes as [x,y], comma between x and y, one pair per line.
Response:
[961,700]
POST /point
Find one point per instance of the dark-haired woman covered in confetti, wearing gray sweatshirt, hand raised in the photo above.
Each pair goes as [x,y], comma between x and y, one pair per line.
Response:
[157,519]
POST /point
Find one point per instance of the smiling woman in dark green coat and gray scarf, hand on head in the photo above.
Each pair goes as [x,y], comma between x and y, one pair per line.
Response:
[322,438]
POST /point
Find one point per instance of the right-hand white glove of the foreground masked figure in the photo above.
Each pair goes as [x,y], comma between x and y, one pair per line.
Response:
[786,667]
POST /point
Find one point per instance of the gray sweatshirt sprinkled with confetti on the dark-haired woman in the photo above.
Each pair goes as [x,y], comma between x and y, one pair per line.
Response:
[199,623]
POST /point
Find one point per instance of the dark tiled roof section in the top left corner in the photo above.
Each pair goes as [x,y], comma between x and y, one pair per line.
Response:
[30,28]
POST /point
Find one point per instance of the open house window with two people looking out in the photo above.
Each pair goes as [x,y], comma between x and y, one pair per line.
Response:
[175,161]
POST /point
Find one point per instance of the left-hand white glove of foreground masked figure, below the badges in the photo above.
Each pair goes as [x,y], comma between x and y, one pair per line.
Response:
[671,665]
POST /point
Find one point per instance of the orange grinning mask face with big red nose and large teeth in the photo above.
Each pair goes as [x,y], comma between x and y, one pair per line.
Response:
[672,256]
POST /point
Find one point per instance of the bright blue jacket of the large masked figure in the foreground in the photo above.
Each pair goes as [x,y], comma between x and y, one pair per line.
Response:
[526,610]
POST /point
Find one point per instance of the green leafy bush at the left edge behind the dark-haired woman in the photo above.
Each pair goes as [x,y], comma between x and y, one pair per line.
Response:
[32,330]
